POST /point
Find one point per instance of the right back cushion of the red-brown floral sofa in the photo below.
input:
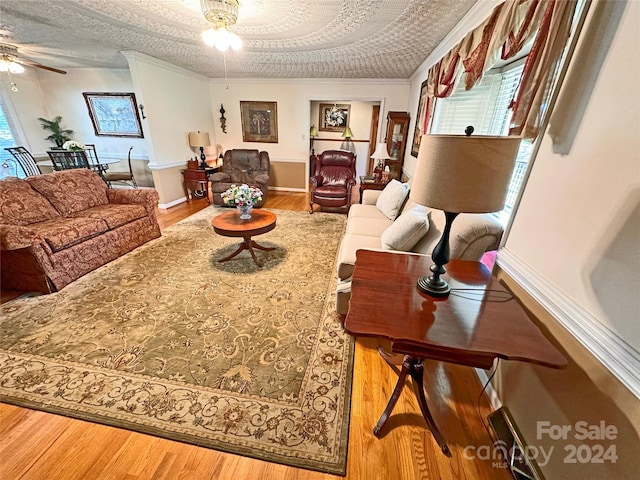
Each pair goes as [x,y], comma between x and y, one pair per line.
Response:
[70,191]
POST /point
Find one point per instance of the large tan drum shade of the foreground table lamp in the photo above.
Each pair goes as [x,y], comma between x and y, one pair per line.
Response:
[456,173]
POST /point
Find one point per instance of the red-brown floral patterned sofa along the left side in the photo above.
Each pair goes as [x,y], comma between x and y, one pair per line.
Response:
[57,227]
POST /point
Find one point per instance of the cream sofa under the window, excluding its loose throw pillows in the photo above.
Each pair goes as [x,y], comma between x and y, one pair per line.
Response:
[471,236]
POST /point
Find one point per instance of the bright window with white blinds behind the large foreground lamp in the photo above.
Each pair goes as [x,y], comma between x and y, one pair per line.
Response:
[486,107]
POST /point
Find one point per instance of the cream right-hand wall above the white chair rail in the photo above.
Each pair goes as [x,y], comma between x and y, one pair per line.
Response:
[585,201]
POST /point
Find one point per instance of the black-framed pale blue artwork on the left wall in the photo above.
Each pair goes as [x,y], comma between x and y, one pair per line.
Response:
[114,114]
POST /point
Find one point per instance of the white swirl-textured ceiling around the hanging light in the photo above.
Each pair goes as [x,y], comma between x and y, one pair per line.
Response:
[282,38]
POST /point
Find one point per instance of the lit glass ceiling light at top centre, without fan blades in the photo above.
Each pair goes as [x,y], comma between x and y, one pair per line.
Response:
[221,13]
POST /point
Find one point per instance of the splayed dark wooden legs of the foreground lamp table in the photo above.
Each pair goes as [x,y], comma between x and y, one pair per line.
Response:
[413,367]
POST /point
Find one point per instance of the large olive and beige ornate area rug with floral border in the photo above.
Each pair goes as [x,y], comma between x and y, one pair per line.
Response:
[167,341]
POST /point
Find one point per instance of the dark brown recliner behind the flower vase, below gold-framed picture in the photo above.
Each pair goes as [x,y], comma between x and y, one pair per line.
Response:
[241,166]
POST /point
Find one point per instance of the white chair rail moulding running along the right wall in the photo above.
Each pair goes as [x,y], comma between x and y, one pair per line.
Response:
[610,349]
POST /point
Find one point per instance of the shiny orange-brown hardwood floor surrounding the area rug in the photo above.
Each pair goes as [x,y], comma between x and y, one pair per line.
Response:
[36,445]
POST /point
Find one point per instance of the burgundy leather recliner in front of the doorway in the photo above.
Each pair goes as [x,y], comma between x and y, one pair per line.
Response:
[333,180]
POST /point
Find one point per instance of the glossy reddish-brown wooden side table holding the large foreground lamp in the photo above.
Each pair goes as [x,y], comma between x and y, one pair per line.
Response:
[479,321]
